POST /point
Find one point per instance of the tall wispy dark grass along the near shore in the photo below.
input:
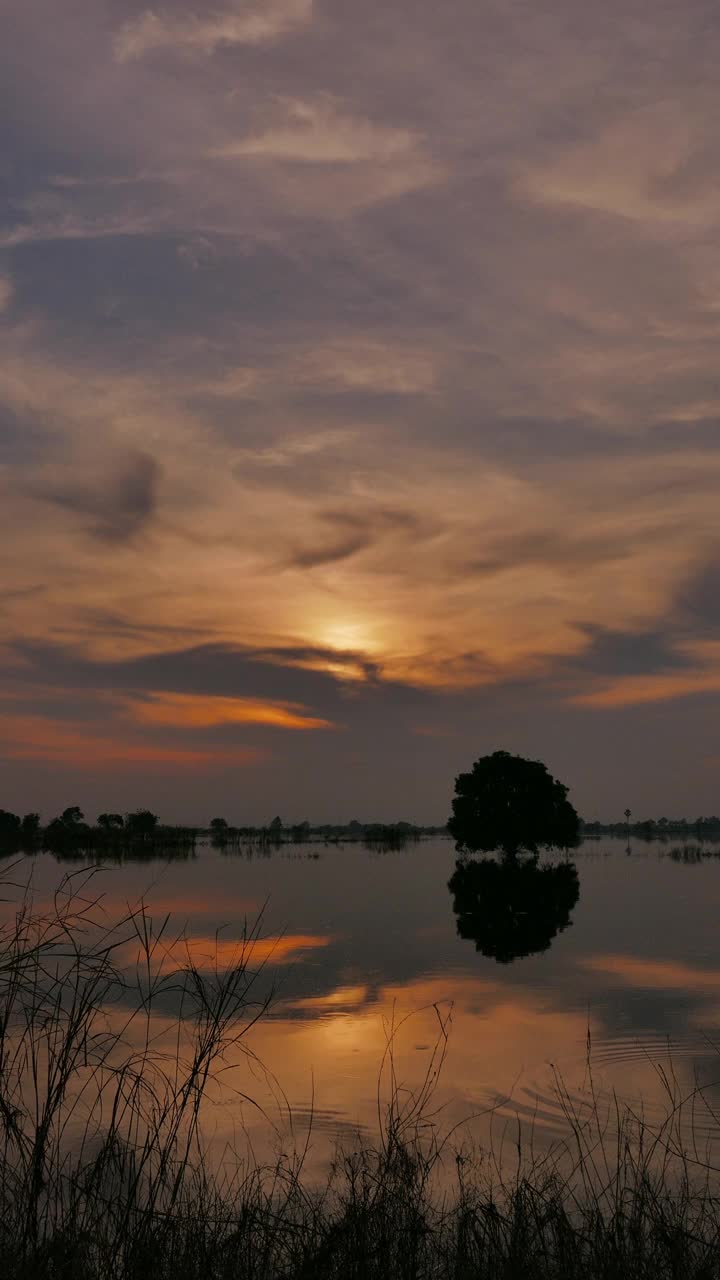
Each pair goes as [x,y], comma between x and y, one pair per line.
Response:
[107,1054]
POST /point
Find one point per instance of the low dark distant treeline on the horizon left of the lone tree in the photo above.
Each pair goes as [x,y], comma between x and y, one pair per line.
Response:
[142,834]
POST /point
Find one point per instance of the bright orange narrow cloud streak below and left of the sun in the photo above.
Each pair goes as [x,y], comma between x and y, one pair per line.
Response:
[190,711]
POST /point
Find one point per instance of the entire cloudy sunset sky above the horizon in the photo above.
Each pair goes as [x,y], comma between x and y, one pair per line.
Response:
[359,404]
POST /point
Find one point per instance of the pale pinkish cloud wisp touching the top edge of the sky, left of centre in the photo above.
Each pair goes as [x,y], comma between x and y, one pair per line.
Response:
[249,22]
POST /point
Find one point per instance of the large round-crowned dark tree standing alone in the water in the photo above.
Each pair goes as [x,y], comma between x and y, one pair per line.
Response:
[512,804]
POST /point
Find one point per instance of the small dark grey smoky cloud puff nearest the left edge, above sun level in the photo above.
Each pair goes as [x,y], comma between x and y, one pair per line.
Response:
[117,506]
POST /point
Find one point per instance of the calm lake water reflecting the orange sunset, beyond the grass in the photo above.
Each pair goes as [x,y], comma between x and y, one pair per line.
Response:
[358,943]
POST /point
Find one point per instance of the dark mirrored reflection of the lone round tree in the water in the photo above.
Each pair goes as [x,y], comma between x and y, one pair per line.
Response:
[513,908]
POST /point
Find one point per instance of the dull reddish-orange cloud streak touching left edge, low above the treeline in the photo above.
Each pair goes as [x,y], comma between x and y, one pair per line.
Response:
[34,738]
